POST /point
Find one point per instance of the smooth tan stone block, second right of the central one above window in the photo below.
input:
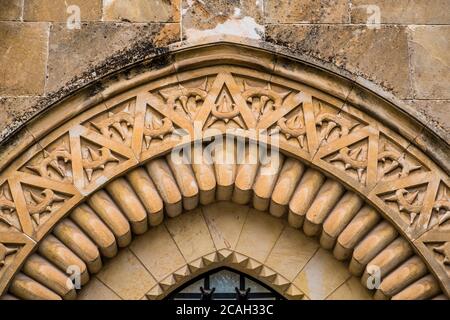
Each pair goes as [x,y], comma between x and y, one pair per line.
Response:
[291,253]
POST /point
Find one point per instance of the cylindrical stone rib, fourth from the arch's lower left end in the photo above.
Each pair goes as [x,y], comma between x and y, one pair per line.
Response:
[69,233]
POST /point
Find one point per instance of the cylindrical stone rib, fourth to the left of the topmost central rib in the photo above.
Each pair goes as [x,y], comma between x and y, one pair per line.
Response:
[149,196]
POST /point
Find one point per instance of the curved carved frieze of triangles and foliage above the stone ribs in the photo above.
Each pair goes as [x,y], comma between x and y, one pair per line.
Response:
[108,140]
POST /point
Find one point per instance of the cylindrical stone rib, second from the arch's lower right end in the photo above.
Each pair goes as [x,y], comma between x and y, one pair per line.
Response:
[410,271]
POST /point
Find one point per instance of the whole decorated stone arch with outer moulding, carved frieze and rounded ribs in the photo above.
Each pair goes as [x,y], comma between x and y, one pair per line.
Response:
[79,168]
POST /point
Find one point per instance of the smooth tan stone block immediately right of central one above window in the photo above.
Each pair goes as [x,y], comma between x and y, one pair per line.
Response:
[259,235]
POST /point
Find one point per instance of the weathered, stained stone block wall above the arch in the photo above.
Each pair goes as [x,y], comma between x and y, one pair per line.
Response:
[408,53]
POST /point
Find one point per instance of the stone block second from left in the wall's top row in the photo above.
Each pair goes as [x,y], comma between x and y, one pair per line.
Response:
[57,10]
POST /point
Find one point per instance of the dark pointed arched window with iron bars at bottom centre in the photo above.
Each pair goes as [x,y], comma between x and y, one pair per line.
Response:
[224,284]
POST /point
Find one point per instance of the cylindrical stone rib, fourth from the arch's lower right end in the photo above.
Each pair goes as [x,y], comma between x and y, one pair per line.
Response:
[378,239]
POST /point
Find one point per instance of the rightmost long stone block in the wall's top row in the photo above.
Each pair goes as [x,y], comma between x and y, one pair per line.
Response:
[403,11]
